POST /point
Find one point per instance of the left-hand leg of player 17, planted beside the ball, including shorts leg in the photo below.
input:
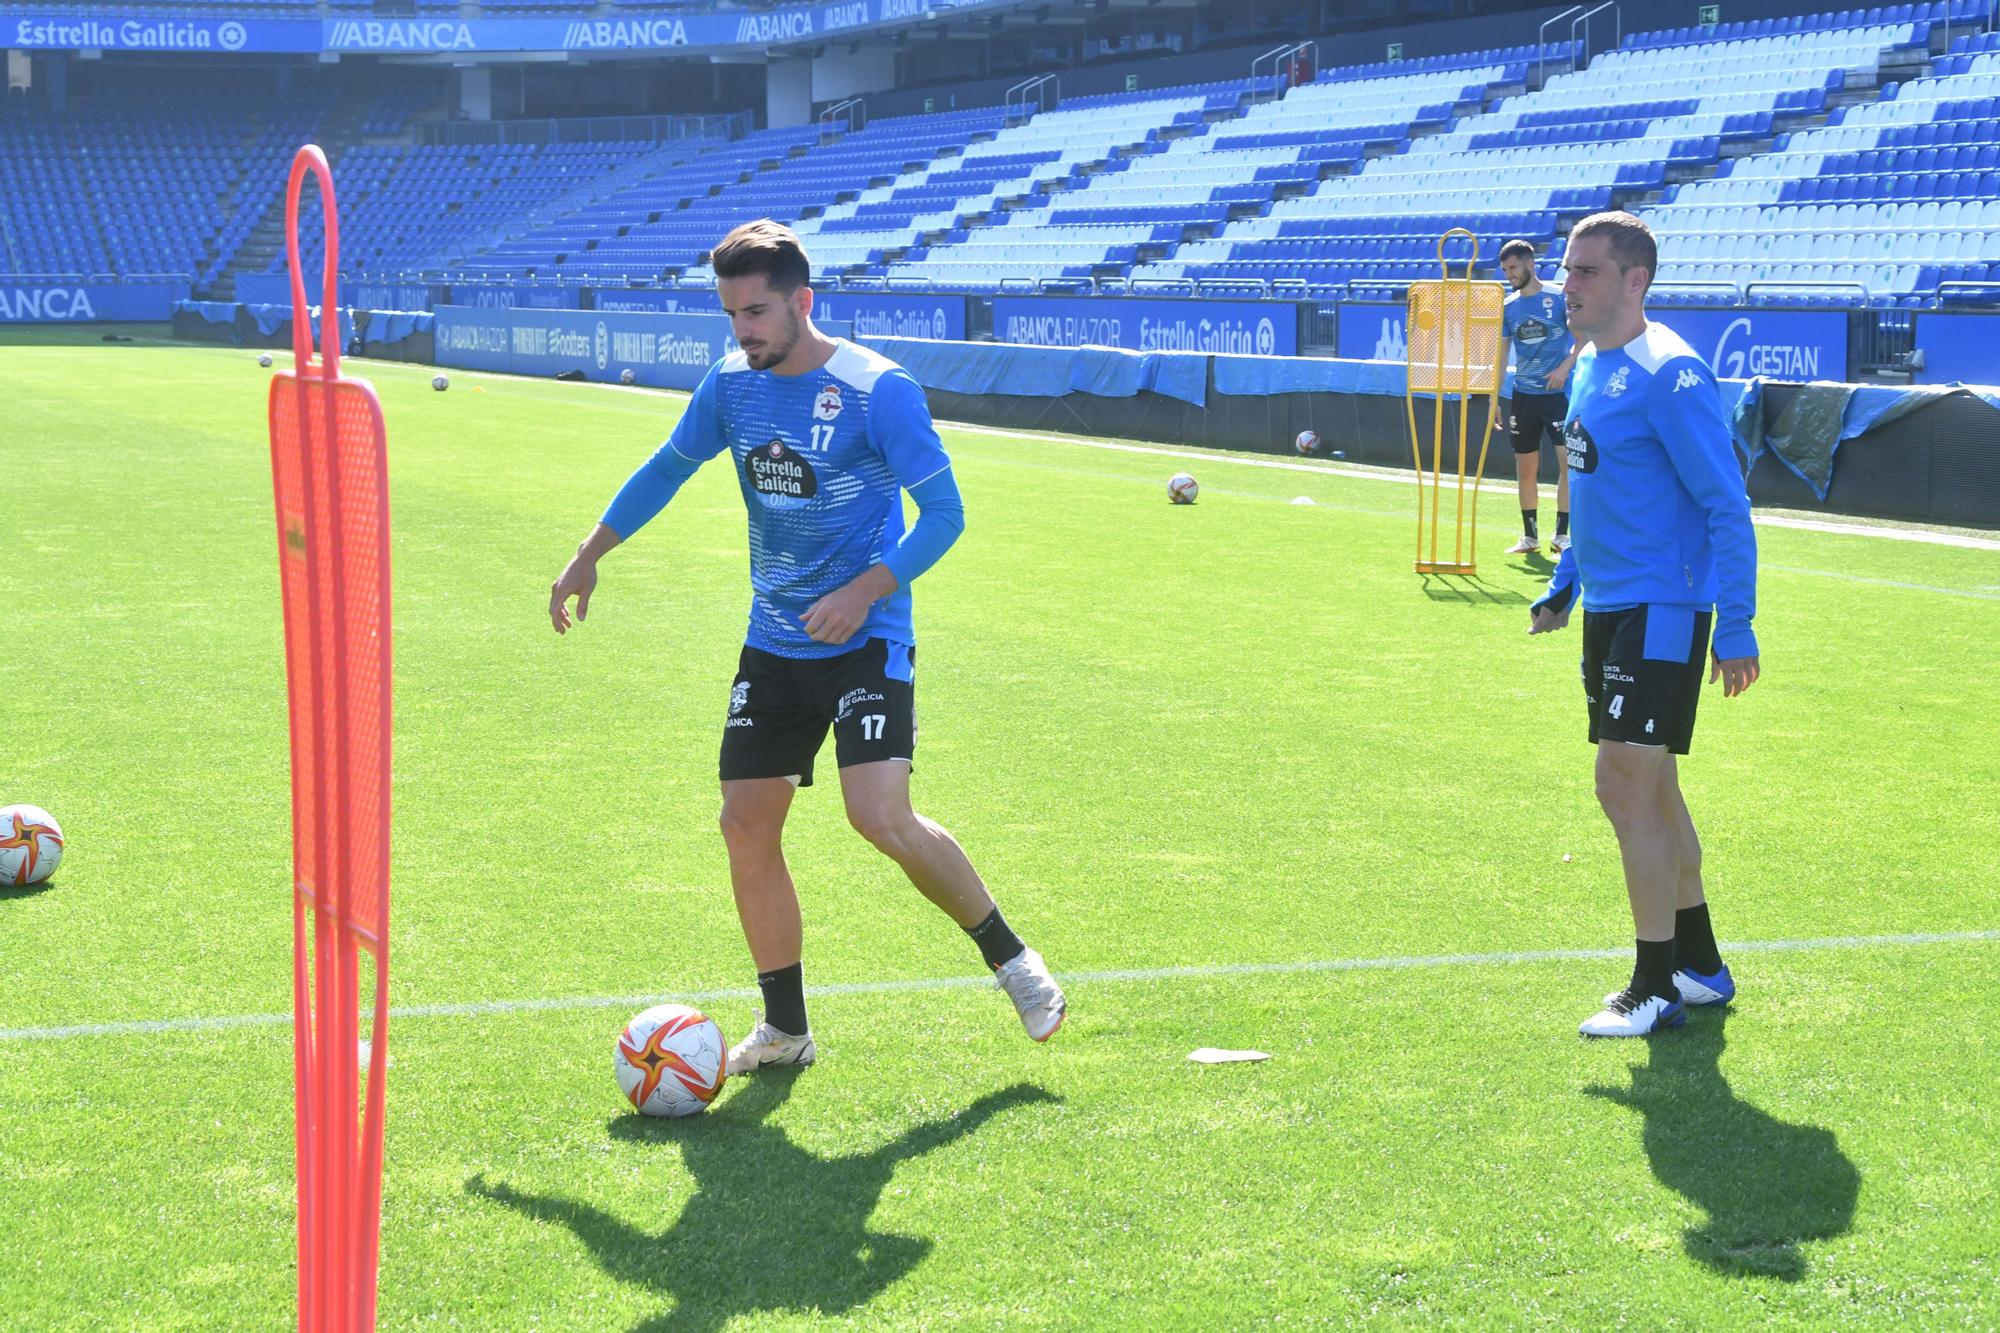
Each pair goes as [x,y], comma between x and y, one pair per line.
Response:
[767,754]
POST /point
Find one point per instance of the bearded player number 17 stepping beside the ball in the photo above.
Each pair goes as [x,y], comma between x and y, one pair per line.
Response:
[825,439]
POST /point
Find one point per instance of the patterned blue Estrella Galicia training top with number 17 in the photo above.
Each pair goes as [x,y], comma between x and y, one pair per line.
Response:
[823,461]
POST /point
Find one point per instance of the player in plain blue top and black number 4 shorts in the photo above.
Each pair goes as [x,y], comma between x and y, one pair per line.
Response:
[1663,545]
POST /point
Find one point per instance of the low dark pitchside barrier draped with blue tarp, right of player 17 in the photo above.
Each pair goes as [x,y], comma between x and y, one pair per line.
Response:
[1927,453]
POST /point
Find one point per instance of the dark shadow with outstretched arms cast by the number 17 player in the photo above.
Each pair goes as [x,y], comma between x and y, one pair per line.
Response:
[771,1228]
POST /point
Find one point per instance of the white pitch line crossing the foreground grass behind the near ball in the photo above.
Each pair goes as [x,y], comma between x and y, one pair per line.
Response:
[965,984]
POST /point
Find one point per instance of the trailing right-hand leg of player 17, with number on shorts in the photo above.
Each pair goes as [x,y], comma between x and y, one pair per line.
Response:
[875,738]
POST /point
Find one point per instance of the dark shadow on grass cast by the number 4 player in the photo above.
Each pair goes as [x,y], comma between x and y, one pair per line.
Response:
[1769,1186]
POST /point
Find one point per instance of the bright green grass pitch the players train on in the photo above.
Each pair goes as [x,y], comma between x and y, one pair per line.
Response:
[1197,740]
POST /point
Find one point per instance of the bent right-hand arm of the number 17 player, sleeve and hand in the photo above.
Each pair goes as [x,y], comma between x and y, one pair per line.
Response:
[903,433]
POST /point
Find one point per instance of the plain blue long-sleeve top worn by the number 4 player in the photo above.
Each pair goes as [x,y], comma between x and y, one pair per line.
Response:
[1659,511]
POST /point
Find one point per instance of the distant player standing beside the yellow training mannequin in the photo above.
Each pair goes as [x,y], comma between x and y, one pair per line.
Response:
[1539,325]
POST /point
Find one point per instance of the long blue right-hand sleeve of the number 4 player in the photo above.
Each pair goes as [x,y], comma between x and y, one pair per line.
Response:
[1685,411]
